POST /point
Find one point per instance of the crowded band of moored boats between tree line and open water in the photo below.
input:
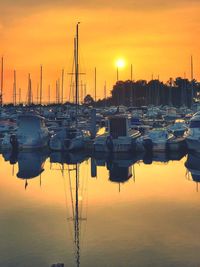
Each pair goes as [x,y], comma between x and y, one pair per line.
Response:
[43,127]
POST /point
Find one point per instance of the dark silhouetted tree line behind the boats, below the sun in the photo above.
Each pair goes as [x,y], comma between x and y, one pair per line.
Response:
[176,92]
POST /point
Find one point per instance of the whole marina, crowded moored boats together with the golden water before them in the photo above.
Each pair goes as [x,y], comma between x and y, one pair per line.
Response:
[120,182]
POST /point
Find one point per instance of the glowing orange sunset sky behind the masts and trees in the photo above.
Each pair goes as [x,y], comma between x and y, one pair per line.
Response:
[156,36]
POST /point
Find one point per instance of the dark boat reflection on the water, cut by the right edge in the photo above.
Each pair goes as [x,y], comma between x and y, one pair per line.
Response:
[193,167]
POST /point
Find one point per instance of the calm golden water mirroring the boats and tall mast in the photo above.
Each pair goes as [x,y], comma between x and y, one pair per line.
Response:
[91,212]
